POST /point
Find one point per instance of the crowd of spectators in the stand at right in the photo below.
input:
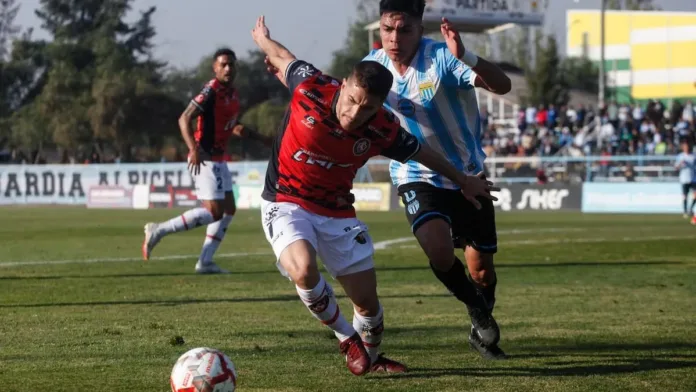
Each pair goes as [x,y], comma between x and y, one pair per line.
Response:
[652,129]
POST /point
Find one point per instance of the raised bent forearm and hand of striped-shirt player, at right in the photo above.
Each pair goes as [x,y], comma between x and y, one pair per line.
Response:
[488,75]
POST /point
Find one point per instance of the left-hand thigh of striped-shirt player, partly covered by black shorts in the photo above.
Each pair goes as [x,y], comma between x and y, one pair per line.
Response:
[428,211]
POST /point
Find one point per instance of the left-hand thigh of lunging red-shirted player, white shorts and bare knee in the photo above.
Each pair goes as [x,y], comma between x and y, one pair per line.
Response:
[289,230]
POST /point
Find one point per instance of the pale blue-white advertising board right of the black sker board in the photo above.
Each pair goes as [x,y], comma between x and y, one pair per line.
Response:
[632,197]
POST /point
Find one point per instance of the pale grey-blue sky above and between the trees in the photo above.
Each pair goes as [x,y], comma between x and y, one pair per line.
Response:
[186,33]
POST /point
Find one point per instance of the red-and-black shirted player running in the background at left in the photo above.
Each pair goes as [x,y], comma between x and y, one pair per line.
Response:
[216,109]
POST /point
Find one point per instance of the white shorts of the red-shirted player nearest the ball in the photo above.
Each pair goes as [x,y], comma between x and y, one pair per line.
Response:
[343,244]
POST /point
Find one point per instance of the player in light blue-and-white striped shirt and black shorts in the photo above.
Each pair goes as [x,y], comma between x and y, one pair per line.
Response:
[433,96]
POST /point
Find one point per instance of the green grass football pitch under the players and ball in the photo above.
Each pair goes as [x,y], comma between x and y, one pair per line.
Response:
[584,302]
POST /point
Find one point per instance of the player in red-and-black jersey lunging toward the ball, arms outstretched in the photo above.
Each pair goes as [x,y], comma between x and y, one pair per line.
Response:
[330,130]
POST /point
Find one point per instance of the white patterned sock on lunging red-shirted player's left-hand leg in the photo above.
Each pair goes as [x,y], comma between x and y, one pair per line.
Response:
[322,304]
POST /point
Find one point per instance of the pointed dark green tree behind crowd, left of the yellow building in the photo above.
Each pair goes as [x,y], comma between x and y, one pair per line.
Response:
[545,79]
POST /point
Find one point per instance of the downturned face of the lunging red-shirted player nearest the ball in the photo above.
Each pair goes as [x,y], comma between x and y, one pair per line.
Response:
[355,106]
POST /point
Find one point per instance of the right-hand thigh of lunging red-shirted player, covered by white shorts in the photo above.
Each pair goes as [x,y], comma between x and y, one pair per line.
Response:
[344,245]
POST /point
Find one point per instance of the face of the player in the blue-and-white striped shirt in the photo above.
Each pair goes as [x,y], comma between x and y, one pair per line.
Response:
[401,35]
